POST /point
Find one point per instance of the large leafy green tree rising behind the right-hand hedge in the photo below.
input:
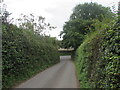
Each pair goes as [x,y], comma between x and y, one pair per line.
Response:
[81,23]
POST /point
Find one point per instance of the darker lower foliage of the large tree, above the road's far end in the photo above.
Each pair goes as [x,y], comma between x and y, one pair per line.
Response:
[75,31]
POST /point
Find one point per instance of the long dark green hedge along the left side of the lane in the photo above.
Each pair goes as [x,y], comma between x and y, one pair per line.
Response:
[24,54]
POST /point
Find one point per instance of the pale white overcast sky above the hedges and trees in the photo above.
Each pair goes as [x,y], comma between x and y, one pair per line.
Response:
[56,12]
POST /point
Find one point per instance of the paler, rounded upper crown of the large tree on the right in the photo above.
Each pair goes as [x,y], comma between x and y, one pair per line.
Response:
[89,11]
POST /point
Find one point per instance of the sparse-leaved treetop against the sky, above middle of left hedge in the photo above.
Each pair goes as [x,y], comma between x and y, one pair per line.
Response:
[36,24]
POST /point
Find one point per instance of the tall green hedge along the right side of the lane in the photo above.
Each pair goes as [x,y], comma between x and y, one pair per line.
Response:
[98,60]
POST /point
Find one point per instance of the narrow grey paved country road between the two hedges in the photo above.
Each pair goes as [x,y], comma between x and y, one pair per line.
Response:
[61,75]
